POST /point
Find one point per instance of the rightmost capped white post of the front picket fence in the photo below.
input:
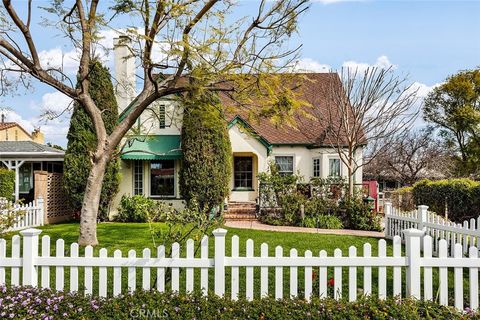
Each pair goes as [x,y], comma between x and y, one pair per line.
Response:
[412,252]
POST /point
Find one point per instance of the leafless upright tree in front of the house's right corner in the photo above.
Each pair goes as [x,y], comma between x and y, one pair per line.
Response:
[371,107]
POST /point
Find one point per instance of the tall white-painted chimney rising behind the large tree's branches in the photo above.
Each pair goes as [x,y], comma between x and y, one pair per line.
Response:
[124,72]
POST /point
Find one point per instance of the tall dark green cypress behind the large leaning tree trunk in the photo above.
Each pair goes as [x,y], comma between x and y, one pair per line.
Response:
[82,143]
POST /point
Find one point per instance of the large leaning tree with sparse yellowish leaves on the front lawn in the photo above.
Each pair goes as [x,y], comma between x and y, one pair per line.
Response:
[195,48]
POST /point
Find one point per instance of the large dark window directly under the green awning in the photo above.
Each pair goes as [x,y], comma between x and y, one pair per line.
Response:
[162,178]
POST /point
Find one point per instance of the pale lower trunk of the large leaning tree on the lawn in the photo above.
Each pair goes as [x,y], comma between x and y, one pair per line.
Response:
[91,201]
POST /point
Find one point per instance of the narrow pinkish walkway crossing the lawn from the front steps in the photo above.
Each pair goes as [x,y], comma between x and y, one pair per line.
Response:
[255,225]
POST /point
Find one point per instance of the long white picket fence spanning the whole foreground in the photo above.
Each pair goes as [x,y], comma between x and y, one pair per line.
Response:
[107,270]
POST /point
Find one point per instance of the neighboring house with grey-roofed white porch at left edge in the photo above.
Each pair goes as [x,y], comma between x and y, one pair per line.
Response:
[25,153]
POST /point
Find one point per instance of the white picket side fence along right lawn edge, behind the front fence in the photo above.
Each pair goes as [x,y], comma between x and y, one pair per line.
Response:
[466,233]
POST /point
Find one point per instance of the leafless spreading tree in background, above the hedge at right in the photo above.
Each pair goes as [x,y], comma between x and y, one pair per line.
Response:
[410,157]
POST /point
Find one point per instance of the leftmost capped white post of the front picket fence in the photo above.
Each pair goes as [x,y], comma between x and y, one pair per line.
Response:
[29,256]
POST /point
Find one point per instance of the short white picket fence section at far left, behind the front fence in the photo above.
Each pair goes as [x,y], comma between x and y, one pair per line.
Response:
[31,214]
